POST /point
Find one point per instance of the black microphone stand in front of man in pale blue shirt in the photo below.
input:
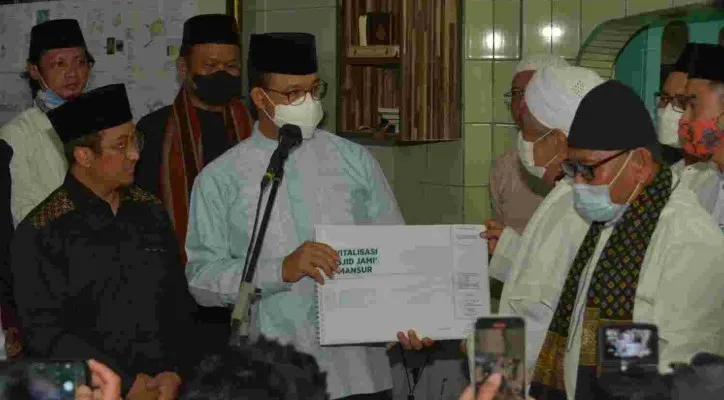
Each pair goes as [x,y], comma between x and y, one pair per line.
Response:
[248,294]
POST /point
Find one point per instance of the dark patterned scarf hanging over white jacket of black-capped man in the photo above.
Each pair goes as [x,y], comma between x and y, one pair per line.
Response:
[611,294]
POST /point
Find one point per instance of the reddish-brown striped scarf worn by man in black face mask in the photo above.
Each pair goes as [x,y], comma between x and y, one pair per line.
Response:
[183,159]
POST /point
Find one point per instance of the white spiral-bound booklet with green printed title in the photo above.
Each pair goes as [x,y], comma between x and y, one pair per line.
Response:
[433,279]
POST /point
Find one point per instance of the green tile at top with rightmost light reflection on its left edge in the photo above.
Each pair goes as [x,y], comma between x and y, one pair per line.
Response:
[565,30]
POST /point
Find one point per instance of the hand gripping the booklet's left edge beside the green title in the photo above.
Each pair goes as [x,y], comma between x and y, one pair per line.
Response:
[307,260]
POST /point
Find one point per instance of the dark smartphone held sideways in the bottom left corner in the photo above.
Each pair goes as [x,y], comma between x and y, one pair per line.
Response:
[47,379]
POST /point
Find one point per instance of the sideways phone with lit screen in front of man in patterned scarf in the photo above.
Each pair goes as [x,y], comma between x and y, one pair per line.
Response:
[623,347]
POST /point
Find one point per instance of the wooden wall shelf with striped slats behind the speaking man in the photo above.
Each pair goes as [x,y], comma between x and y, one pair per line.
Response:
[423,82]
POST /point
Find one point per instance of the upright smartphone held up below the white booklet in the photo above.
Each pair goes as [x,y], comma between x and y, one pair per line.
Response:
[499,347]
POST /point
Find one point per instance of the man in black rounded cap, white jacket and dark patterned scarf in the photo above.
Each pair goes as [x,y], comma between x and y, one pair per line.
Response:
[628,243]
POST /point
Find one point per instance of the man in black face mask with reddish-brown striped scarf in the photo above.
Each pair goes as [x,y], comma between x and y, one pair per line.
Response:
[206,119]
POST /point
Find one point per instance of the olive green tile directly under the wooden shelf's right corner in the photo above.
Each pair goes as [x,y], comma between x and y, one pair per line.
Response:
[445,163]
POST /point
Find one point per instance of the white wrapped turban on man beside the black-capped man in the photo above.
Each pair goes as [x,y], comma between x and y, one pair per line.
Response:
[554,93]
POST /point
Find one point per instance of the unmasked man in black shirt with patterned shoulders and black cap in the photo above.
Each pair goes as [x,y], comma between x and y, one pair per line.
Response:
[102,248]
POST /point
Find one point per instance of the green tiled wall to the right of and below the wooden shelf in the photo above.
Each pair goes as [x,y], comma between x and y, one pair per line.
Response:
[443,183]
